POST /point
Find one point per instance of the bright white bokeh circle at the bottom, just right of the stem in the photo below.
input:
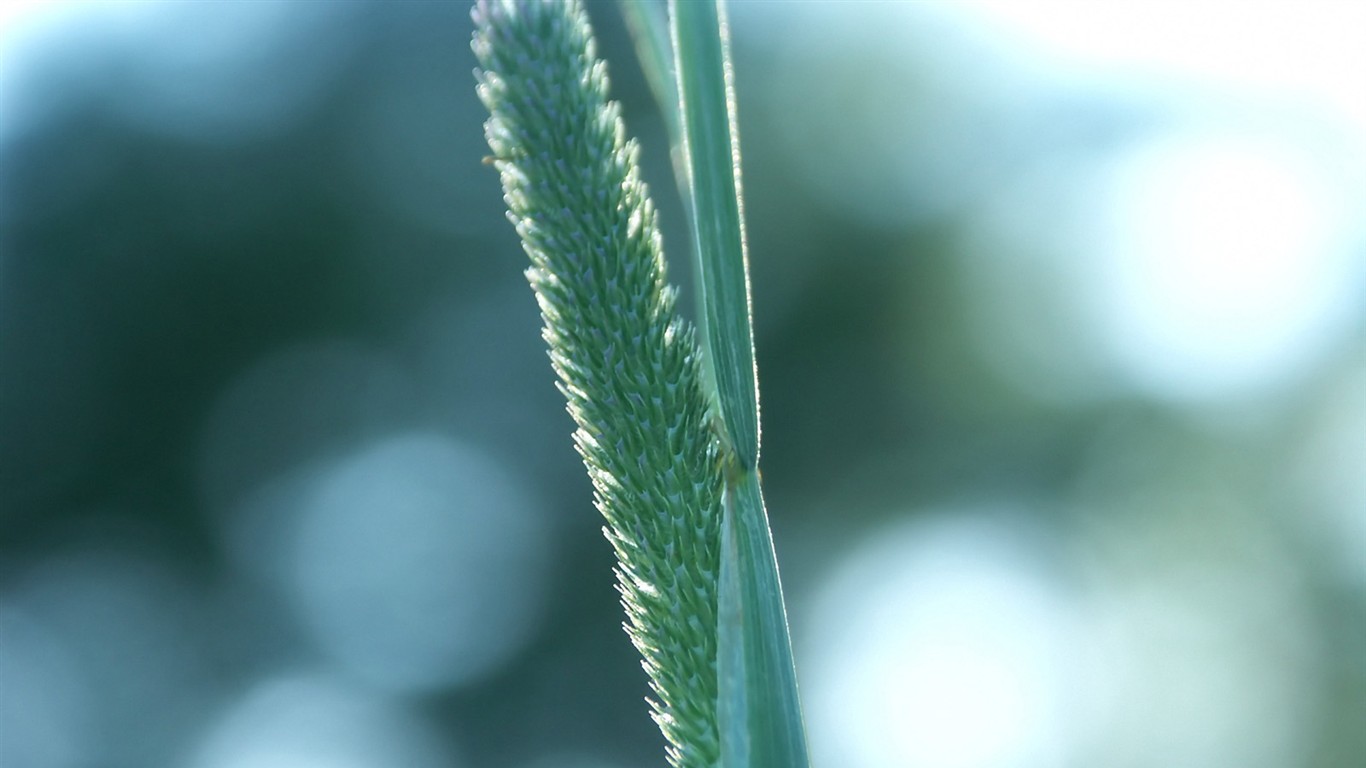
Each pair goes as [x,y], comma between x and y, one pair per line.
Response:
[942,644]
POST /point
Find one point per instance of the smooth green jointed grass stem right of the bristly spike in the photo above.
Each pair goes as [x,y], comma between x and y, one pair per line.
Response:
[759,709]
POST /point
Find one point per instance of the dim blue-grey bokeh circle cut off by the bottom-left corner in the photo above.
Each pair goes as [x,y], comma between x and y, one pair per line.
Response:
[100,648]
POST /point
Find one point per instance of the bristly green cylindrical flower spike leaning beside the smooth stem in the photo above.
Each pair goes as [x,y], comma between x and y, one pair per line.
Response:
[628,364]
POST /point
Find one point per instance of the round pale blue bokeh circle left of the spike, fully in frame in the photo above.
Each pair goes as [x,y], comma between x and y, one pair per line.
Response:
[417,564]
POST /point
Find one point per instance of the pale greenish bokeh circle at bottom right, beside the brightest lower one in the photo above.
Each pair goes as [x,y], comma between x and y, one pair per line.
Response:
[1210,651]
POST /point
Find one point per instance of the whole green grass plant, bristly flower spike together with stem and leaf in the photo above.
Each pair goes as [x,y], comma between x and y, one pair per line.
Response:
[667,426]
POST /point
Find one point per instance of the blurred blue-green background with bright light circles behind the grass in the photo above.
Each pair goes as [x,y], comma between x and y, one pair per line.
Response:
[1062,331]
